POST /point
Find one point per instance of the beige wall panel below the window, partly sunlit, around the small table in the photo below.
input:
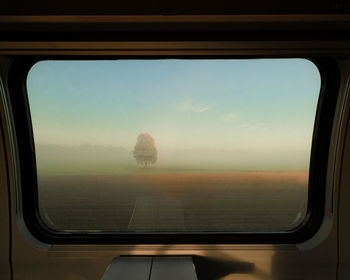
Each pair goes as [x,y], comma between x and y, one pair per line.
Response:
[232,262]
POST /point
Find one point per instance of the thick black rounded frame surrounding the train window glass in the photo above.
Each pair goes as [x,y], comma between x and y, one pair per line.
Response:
[325,113]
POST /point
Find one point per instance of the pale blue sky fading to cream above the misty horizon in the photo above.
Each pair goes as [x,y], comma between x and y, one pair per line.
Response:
[262,108]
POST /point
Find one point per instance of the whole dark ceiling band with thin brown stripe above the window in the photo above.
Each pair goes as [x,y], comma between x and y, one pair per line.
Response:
[174,20]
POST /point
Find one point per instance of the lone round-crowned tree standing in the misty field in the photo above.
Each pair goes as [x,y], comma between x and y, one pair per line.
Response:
[145,151]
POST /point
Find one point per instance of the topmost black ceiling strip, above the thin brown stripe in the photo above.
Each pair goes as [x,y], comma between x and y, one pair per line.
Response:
[170,7]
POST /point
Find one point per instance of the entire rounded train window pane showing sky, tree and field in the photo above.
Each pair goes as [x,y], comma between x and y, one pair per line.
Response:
[173,145]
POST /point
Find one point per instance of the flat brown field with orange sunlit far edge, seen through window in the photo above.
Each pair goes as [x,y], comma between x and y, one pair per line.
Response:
[175,202]
